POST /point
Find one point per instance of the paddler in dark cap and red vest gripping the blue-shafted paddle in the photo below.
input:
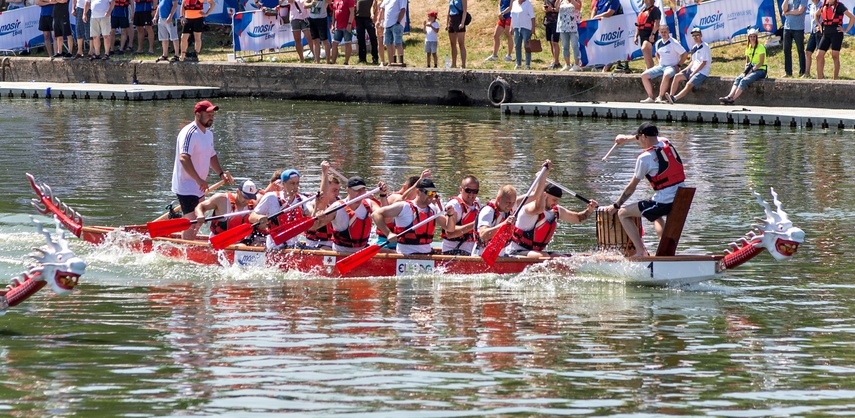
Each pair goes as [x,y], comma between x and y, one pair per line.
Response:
[407,213]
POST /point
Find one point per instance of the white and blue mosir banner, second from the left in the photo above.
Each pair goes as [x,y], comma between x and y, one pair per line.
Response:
[255,31]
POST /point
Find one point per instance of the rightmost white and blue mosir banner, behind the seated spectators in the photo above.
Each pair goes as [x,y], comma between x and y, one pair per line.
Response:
[721,20]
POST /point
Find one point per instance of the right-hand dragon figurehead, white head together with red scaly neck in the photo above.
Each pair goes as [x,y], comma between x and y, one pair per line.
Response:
[776,234]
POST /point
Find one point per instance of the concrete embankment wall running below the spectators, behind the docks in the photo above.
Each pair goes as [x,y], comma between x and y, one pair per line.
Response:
[412,85]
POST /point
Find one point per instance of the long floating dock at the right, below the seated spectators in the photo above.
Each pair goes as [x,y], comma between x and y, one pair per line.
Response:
[793,117]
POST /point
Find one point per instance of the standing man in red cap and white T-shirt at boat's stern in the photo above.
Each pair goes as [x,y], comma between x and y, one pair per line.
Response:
[194,157]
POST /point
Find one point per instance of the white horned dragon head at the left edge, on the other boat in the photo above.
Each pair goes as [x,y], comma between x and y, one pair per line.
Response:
[57,264]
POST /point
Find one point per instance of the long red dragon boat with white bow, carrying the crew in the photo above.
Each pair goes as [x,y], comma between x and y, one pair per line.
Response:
[775,234]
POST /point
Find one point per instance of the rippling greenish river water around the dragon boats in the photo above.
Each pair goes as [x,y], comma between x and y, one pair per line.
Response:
[144,335]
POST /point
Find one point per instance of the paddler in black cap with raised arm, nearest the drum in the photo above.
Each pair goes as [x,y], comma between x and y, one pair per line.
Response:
[535,226]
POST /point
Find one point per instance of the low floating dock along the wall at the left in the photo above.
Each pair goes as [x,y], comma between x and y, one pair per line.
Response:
[86,91]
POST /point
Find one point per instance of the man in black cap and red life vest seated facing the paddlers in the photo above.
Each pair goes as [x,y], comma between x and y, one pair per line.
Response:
[661,165]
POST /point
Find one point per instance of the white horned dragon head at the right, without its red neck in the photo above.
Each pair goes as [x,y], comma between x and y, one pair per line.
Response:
[777,233]
